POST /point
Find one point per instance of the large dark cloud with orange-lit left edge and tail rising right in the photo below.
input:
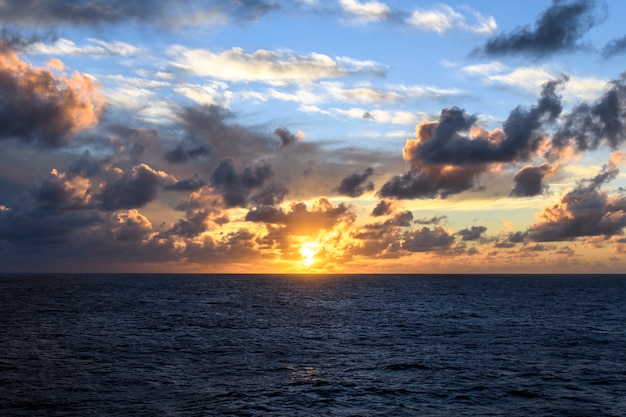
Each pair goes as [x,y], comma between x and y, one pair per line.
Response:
[449,154]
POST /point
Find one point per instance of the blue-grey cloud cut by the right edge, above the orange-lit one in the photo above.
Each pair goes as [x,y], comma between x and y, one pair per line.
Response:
[588,126]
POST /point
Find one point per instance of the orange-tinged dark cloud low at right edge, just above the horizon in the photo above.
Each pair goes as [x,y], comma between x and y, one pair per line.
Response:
[584,211]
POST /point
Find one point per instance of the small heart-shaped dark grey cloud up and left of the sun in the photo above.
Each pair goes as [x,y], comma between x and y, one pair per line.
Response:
[236,187]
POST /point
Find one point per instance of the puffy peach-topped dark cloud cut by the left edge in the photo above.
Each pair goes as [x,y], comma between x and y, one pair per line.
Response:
[44,106]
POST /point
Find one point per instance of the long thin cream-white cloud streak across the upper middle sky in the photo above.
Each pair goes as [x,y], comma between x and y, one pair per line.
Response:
[276,67]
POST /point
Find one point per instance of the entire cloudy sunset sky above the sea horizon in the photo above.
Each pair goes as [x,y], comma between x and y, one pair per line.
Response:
[310,136]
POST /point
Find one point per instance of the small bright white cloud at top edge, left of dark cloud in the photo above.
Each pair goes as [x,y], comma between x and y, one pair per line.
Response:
[442,18]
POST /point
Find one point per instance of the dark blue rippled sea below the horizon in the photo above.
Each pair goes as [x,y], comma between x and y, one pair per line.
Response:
[163,345]
